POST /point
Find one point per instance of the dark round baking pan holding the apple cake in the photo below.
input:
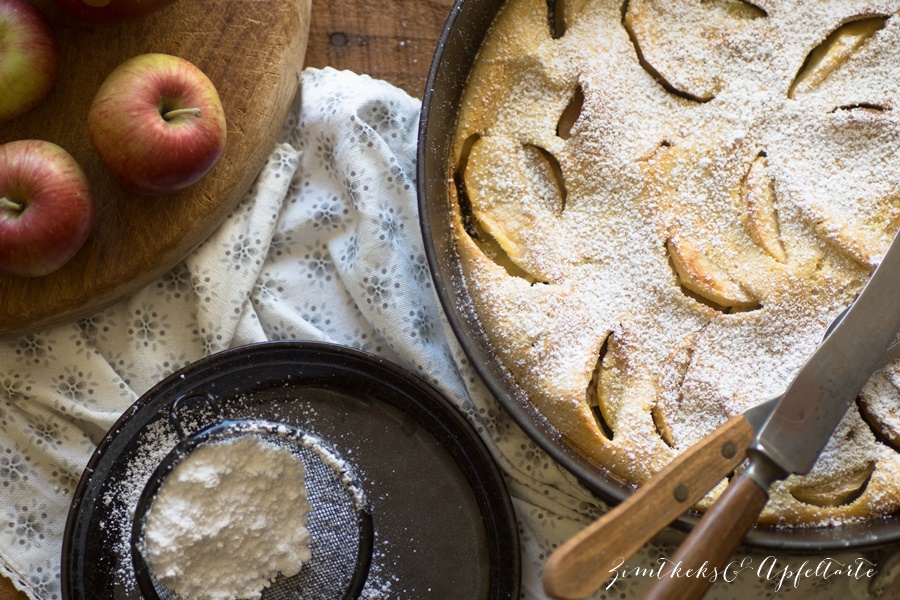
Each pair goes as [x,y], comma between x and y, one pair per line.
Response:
[457,49]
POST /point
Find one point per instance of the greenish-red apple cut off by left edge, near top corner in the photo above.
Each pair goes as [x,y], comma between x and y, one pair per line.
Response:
[28,58]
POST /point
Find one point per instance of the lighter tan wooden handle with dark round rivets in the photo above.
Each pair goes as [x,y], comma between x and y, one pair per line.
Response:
[580,566]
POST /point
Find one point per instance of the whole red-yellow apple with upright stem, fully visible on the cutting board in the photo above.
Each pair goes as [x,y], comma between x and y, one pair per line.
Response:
[158,124]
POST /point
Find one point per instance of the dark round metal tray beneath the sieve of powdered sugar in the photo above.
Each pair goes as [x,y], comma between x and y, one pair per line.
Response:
[443,522]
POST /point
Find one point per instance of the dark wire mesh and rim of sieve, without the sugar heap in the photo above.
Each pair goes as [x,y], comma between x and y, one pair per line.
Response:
[339,522]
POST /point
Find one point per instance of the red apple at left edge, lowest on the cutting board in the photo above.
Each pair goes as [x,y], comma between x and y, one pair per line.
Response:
[46,209]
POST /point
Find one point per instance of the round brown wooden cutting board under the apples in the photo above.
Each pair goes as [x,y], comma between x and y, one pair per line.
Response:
[253,52]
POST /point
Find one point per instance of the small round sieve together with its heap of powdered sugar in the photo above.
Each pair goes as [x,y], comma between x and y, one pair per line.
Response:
[216,525]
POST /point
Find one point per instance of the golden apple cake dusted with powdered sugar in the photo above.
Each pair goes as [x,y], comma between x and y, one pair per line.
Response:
[660,205]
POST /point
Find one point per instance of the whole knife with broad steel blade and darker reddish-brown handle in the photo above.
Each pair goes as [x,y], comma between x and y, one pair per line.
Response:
[793,436]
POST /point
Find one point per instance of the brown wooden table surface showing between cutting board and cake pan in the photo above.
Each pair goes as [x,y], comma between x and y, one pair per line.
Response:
[392,40]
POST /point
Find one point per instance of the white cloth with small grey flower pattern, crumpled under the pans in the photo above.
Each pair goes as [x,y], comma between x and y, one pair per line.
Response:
[326,246]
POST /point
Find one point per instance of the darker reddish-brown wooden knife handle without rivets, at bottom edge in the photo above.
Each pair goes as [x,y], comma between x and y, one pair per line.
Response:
[711,544]
